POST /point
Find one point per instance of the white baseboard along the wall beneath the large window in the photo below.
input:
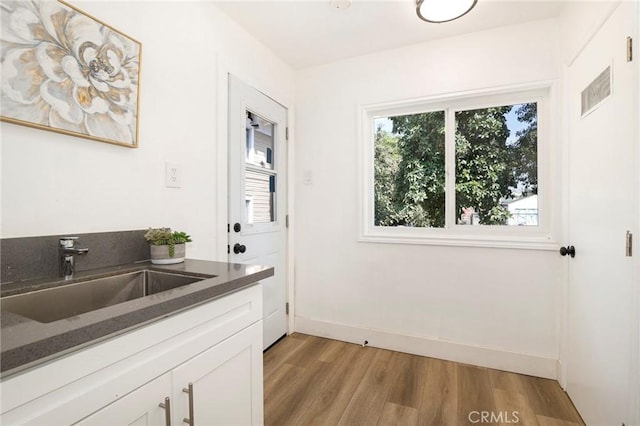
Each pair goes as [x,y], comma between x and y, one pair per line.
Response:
[531,365]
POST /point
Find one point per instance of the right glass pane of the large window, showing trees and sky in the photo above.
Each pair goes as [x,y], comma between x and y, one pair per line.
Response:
[496,166]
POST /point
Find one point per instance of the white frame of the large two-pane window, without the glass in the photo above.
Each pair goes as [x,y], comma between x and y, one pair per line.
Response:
[541,237]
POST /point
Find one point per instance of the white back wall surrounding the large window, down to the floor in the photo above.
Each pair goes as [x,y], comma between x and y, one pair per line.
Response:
[493,307]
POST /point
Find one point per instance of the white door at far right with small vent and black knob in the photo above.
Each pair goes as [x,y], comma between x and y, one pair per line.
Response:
[602,315]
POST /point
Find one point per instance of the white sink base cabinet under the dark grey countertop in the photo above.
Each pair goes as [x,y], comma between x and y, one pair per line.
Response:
[216,347]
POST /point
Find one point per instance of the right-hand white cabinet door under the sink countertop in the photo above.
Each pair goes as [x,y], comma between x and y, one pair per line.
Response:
[227,382]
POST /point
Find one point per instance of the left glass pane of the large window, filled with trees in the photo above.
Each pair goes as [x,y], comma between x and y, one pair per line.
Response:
[409,170]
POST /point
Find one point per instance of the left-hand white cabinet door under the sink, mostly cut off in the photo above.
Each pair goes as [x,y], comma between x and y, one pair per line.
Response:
[140,407]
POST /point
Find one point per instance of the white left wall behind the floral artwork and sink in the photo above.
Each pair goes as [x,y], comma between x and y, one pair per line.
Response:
[52,183]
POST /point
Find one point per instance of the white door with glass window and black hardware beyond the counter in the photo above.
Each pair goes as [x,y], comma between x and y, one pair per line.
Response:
[257,195]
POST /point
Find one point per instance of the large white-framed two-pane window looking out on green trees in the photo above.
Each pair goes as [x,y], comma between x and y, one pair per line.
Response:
[464,170]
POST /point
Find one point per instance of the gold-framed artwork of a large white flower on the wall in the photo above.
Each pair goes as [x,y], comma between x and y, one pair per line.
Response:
[65,71]
